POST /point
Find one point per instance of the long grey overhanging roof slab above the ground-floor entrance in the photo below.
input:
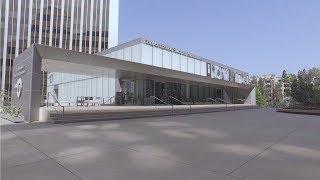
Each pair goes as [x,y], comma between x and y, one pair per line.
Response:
[58,54]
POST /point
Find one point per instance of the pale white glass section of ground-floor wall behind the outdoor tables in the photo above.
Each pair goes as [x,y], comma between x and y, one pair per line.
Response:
[68,88]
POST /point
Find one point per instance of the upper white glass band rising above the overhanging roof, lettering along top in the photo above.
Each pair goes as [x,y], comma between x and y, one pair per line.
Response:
[150,53]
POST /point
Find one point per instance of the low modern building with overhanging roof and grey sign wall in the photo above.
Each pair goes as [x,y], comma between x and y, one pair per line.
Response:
[140,72]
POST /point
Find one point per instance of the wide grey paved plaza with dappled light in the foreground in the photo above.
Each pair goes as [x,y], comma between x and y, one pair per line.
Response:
[247,144]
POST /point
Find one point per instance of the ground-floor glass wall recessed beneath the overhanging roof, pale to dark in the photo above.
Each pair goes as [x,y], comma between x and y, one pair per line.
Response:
[72,89]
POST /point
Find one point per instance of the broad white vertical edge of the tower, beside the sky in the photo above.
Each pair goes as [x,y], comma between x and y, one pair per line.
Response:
[113,27]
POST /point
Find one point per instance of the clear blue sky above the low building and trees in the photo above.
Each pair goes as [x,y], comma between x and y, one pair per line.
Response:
[257,36]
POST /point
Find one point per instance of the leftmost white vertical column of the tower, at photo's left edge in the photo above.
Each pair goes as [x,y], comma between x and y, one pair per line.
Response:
[5,40]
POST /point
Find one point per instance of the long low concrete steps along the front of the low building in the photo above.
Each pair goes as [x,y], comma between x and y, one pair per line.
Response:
[121,112]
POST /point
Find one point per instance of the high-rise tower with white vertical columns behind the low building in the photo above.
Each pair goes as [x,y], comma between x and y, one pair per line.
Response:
[88,26]
